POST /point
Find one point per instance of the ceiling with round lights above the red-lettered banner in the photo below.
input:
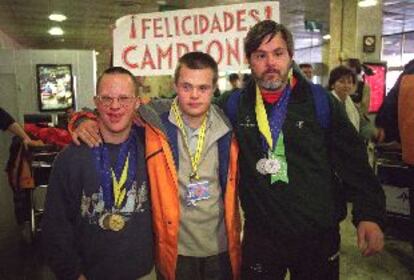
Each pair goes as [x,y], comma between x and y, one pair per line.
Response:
[90,22]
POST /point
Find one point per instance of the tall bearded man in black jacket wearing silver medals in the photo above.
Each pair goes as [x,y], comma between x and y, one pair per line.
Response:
[287,164]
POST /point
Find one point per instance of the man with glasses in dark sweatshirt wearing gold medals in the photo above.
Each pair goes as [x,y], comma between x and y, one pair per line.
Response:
[97,220]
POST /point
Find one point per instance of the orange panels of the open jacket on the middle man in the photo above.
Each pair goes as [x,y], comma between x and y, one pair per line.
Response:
[163,179]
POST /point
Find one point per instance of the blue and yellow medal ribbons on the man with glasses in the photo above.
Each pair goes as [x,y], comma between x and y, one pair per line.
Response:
[115,182]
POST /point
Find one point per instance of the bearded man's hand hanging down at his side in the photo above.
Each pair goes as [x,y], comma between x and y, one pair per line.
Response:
[370,238]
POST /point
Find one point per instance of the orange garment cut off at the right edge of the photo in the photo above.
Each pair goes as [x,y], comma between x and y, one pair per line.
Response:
[406,118]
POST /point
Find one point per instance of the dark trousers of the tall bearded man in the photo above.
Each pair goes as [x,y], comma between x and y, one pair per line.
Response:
[266,256]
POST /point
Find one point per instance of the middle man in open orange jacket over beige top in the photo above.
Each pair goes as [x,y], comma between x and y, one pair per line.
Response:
[192,164]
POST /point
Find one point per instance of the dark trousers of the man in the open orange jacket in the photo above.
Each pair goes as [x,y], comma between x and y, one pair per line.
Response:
[215,267]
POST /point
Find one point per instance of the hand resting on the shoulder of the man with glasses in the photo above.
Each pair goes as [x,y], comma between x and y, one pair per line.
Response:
[88,132]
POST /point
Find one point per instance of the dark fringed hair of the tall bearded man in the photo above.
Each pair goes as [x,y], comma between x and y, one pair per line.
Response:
[261,30]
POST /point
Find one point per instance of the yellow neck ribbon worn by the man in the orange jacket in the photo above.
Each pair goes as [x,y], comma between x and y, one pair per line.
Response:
[196,157]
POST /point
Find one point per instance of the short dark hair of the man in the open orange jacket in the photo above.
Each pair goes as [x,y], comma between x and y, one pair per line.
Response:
[197,60]
